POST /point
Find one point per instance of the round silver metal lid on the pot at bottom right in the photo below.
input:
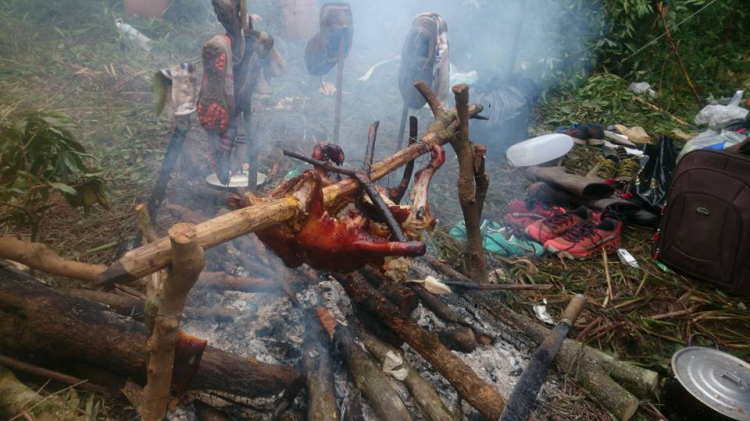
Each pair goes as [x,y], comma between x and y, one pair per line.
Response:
[719,380]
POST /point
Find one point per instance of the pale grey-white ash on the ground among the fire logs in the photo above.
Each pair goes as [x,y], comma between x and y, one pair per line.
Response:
[270,330]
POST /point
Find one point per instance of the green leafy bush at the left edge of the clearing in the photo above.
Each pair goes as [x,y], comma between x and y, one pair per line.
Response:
[38,157]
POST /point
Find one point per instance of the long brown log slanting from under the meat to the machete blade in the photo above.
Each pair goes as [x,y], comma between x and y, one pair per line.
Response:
[478,393]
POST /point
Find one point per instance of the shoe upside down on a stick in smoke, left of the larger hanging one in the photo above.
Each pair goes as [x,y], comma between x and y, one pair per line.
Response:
[322,52]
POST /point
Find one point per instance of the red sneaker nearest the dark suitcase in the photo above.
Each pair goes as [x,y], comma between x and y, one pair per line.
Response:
[587,240]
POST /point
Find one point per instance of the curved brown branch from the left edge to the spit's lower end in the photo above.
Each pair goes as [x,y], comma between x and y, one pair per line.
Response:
[39,256]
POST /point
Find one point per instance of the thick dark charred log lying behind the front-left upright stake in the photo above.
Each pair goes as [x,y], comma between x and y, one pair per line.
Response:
[41,325]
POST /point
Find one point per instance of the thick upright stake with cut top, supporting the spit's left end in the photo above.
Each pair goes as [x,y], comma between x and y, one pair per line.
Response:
[188,262]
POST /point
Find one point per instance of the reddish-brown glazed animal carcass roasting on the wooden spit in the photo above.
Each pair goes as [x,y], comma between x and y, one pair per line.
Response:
[357,237]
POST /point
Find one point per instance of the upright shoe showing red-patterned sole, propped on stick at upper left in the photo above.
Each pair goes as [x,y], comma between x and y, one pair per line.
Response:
[216,98]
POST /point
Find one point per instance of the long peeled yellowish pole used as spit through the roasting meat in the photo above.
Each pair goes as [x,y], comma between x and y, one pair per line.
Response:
[149,258]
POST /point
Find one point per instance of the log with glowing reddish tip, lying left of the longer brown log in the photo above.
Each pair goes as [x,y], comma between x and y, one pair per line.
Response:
[367,376]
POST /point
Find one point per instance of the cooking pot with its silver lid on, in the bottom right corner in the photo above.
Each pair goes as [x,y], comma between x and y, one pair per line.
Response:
[707,384]
